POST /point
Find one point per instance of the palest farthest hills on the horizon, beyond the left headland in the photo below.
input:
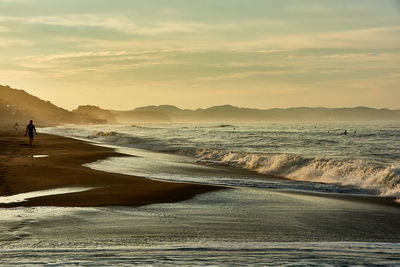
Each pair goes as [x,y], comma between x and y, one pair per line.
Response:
[229,113]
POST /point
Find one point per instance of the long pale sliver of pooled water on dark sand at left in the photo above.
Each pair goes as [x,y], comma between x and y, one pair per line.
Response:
[57,191]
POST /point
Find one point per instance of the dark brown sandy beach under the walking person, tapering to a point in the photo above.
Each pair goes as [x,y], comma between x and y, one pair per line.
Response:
[21,172]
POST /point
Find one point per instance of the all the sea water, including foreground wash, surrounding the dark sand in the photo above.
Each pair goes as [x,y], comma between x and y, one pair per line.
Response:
[299,194]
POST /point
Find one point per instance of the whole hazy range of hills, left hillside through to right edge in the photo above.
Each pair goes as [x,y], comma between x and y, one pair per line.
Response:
[19,106]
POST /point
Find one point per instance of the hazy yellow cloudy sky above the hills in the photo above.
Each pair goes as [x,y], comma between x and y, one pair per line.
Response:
[123,54]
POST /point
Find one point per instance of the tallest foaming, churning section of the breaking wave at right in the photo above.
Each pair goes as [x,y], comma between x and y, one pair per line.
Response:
[384,179]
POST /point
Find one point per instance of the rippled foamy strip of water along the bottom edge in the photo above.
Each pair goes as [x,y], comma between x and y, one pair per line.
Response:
[264,254]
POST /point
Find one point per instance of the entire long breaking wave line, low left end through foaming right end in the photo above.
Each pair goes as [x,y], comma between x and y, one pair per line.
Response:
[384,179]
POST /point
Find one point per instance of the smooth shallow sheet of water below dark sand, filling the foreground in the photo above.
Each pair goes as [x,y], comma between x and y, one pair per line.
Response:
[234,227]
